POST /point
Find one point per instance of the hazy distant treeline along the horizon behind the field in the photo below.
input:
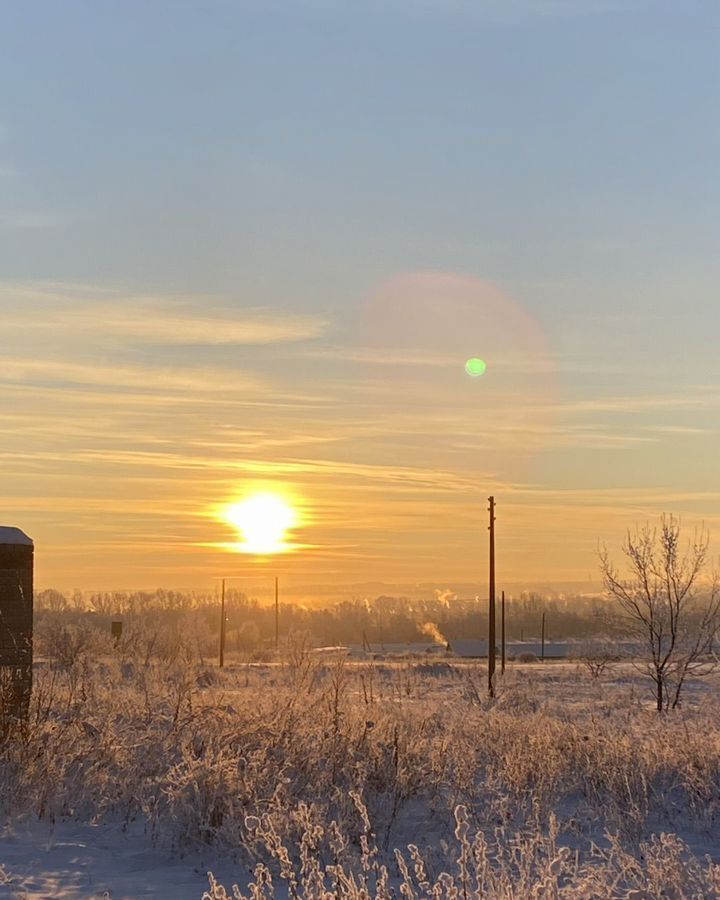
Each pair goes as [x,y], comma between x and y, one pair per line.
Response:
[251,625]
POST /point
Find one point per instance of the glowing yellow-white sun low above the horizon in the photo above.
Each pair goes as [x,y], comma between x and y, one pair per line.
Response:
[262,521]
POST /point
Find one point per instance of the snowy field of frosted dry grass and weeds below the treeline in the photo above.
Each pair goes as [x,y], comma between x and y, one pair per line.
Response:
[135,778]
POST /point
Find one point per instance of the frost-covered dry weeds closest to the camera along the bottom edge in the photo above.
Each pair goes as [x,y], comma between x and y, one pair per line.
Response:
[481,866]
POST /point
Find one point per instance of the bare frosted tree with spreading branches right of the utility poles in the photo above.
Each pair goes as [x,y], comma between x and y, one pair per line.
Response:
[667,605]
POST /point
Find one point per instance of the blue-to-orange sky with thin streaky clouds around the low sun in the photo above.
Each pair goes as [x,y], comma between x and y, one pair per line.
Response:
[249,246]
